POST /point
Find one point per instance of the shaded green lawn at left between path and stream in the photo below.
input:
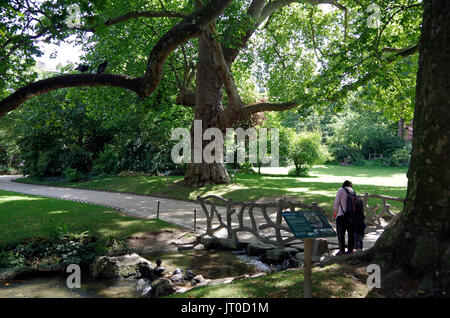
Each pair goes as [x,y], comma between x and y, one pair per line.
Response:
[24,216]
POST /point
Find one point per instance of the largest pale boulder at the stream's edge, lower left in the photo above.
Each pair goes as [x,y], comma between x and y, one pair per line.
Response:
[125,266]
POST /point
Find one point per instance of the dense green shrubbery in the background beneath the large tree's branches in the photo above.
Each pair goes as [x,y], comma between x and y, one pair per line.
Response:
[59,136]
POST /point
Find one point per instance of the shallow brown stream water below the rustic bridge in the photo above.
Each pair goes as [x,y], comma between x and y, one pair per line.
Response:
[208,263]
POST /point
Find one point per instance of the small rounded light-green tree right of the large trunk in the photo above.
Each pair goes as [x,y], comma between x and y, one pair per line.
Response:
[307,150]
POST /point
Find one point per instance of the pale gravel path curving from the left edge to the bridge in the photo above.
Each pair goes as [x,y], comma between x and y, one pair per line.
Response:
[173,211]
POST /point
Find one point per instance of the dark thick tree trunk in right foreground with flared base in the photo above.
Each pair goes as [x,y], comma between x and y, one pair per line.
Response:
[416,247]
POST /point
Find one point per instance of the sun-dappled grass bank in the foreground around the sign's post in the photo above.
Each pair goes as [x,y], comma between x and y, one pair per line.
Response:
[336,281]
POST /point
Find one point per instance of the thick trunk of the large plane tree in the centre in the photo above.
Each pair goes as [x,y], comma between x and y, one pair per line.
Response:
[208,106]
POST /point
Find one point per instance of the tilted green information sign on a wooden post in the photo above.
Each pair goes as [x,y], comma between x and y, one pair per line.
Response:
[308,225]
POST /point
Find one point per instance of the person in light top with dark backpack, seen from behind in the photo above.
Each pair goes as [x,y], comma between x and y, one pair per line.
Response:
[349,213]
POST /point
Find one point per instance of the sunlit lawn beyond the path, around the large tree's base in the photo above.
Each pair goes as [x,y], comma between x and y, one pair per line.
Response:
[320,186]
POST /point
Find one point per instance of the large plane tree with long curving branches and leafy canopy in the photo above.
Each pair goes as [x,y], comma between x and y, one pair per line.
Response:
[297,54]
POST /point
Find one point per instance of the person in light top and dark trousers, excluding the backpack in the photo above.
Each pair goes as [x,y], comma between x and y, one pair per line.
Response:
[343,224]
